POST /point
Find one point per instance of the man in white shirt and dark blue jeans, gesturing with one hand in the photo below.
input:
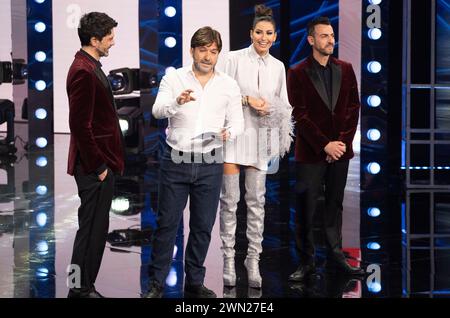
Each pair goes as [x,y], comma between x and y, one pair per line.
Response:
[204,109]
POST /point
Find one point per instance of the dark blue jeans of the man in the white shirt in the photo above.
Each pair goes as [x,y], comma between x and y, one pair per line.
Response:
[202,183]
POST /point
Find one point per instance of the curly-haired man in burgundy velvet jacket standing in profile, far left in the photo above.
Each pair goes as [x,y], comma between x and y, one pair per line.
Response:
[96,149]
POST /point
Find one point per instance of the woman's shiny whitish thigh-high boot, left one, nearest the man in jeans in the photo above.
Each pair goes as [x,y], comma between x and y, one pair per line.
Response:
[229,199]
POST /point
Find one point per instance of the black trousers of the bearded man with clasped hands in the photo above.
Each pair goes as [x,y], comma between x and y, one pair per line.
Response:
[310,179]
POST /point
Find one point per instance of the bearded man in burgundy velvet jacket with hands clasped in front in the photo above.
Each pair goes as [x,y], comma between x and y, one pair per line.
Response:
[324,94]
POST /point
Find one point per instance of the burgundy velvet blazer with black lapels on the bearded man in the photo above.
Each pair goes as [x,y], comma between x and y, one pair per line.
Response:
[318,121]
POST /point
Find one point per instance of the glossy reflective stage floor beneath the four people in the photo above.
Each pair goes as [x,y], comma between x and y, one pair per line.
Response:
[38,225]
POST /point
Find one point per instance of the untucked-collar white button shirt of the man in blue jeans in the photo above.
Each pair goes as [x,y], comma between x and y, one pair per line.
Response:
[217,106]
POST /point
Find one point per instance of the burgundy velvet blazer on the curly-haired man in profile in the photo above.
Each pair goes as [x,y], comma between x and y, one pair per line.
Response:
[94,128]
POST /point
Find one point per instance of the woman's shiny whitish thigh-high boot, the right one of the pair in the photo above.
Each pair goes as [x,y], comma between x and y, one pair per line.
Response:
[255,190]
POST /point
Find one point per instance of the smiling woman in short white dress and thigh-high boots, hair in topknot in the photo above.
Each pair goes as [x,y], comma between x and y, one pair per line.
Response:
[262,80]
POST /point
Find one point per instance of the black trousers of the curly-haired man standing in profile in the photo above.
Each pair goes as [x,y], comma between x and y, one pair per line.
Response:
[93,222]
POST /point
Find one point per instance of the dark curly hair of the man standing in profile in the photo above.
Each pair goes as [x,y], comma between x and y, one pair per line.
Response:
[95,24]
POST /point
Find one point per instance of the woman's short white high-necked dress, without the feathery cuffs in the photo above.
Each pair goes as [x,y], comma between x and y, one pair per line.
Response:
[260,77]
